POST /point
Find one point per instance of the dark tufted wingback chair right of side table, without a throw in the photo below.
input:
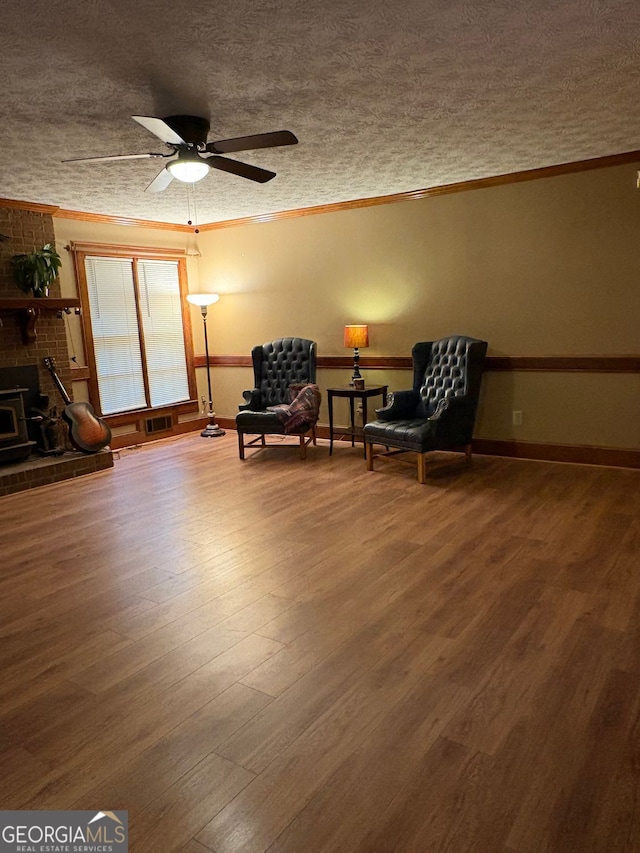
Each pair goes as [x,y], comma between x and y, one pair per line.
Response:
[439,412]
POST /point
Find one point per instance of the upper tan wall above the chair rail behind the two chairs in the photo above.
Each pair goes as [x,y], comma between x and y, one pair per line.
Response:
[542,267]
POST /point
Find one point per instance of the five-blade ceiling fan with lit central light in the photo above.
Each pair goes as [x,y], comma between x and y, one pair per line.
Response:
[191,156]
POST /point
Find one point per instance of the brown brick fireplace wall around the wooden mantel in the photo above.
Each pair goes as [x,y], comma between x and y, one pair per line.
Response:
[28,230]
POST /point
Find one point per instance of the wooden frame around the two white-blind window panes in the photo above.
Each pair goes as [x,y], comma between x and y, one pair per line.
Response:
[82,251]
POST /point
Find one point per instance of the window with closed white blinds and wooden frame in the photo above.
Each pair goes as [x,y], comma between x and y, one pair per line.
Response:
[136,329]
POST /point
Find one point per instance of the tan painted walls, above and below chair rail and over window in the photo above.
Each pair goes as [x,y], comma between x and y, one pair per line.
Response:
[545,267]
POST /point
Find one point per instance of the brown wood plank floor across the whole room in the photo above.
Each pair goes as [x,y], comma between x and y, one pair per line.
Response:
[296,657]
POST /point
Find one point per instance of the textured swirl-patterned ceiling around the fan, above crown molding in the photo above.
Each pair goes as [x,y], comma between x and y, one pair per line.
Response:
[384,97]
